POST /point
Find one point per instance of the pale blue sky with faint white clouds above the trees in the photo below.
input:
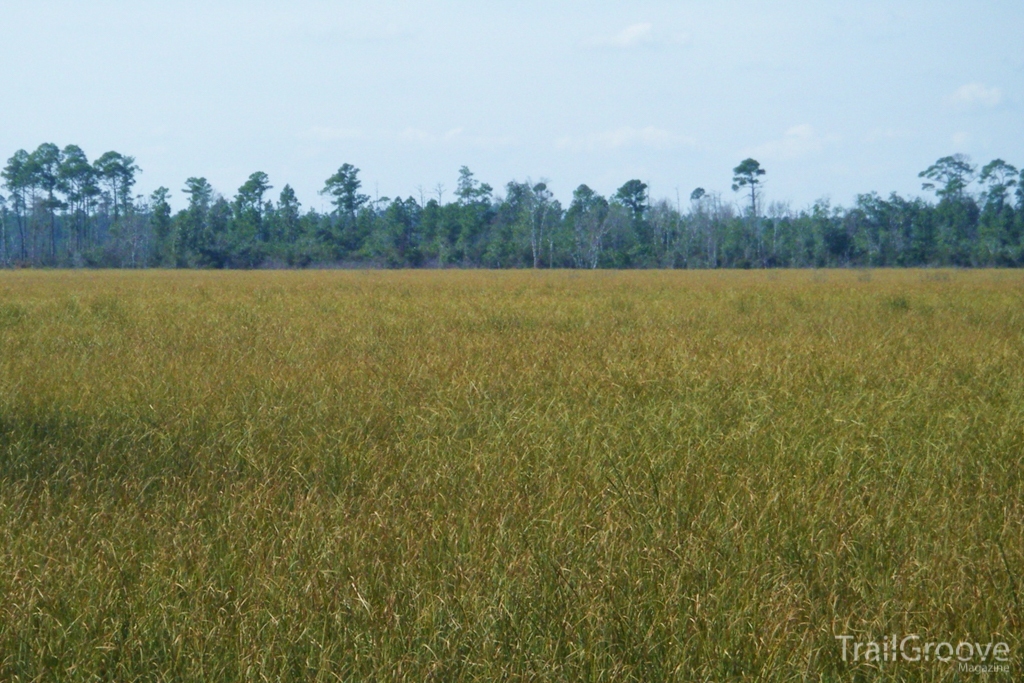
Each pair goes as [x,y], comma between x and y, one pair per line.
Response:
[834,99]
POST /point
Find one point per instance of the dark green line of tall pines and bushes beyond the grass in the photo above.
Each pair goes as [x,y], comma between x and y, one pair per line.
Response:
[64,211]
